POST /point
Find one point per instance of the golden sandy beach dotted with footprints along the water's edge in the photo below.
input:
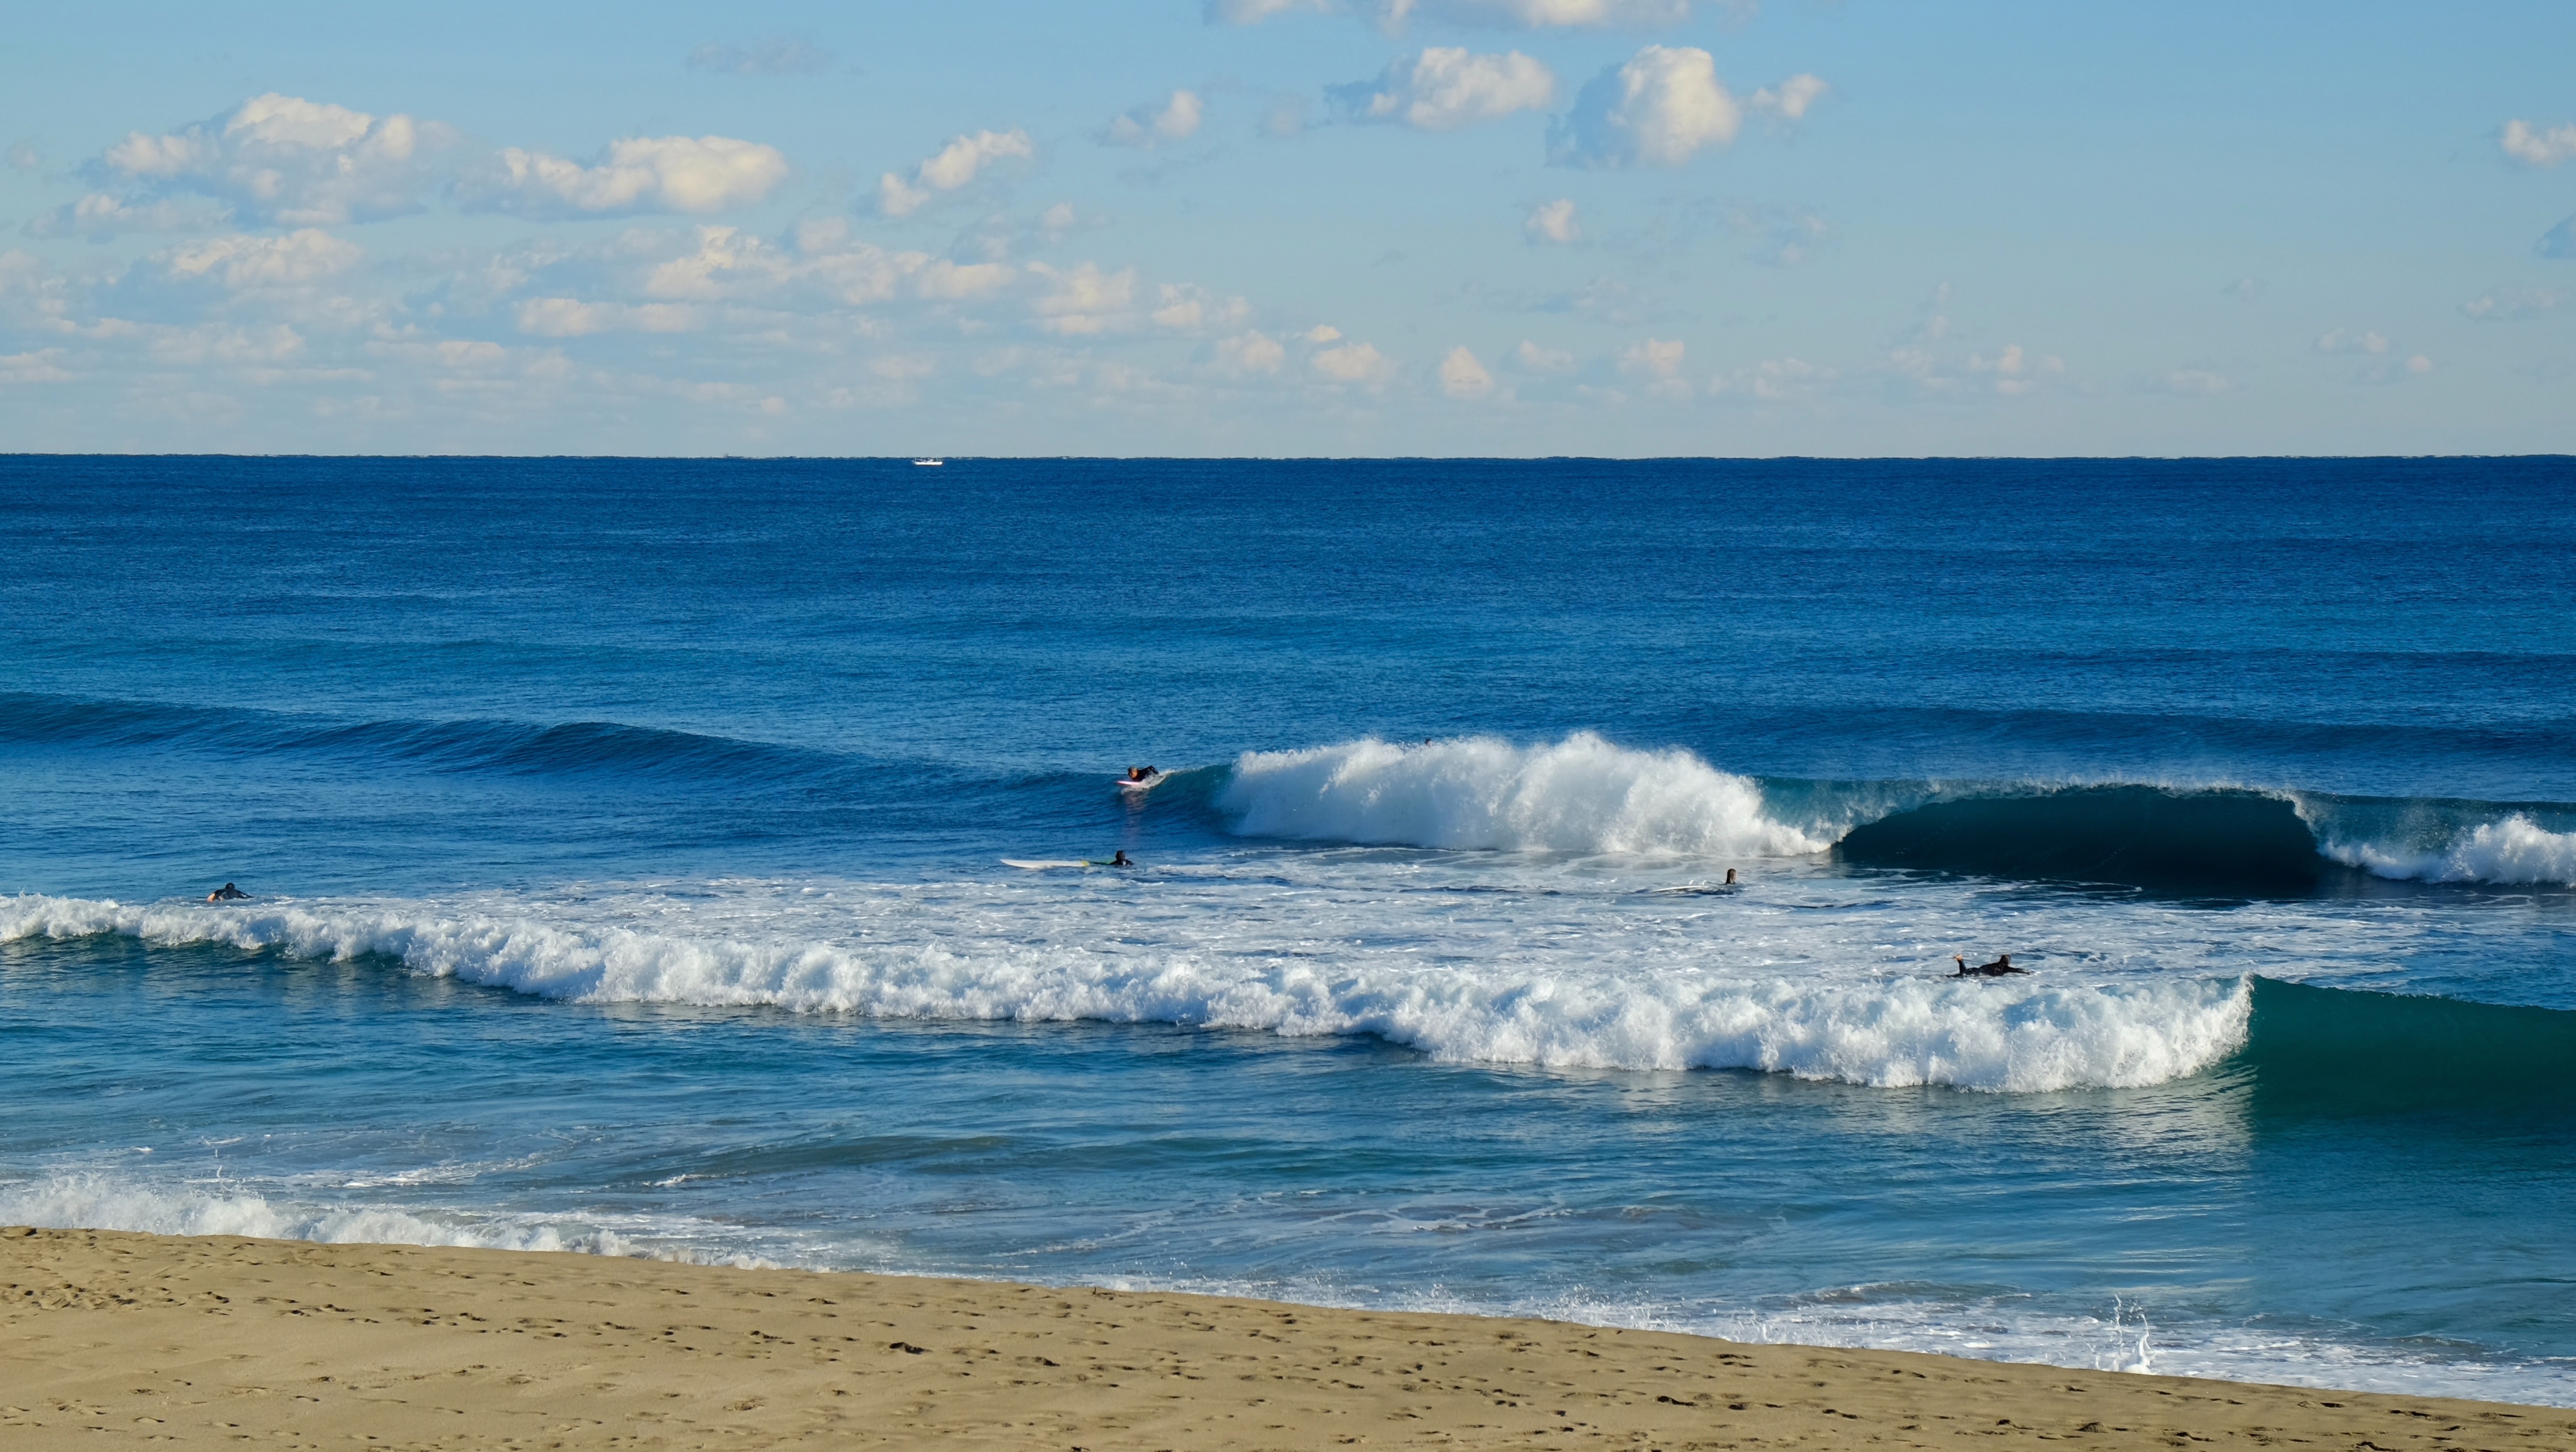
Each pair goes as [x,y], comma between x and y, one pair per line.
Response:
[117,1340]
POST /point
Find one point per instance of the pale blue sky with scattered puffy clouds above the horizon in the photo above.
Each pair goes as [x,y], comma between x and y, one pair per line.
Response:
[1292,228]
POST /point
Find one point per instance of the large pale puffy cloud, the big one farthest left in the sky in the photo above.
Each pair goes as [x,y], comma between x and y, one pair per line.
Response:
[285,161]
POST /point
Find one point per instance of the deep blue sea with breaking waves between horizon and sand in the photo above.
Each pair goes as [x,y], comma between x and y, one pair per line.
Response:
[625,856]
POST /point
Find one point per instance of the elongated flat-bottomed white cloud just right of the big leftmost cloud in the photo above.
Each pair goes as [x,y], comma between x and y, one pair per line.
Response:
[640,174]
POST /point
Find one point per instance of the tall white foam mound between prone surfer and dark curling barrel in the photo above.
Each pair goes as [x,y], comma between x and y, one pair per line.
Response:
[1480,792]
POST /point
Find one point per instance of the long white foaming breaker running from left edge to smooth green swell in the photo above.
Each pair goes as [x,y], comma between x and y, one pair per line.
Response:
[2008,1036]
